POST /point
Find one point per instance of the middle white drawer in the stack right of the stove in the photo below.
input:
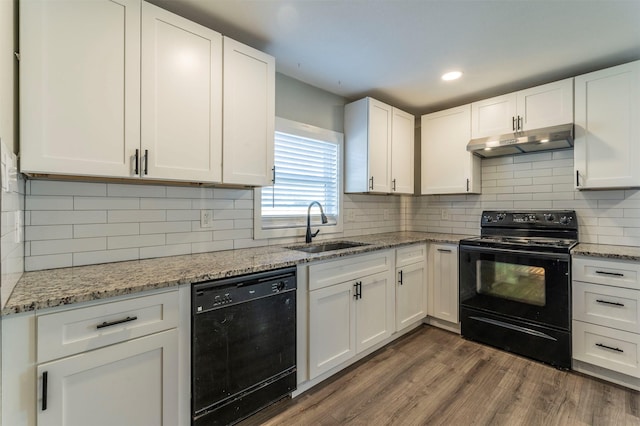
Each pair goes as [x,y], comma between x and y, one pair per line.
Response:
[607,306]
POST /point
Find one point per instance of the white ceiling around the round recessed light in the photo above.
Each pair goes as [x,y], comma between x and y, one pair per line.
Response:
[396,50]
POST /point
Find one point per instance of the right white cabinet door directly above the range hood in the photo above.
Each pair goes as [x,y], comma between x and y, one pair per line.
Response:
[547,105]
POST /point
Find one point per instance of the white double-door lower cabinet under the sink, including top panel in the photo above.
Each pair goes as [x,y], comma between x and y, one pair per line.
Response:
[351,308]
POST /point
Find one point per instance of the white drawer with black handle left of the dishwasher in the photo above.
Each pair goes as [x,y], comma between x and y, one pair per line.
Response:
[78,330]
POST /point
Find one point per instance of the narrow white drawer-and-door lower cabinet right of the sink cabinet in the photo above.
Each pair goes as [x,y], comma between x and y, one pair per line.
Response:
[411,285]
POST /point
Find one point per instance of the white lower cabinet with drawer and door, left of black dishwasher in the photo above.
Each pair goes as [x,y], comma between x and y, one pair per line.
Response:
[113,363]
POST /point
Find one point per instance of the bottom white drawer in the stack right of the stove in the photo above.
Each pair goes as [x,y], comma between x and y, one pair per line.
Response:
[606,347]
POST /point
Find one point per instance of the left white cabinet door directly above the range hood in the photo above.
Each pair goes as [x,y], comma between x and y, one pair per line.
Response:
[494,116]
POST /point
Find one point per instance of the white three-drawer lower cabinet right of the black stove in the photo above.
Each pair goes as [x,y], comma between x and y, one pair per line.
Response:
[606,318]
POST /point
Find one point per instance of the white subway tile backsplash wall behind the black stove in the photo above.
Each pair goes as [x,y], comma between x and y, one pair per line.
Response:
[533,181]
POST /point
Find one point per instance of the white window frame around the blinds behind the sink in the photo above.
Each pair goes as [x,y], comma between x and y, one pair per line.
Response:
[288,227]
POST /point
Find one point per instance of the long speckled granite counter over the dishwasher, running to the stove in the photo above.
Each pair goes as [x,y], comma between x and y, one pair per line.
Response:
[64,286]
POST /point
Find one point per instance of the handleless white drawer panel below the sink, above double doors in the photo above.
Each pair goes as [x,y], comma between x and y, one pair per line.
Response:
[349,268]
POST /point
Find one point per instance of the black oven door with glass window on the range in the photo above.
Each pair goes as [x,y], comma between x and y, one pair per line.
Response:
[525,285]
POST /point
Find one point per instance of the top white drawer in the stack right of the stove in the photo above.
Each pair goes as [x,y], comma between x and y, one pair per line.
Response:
[619,273]
